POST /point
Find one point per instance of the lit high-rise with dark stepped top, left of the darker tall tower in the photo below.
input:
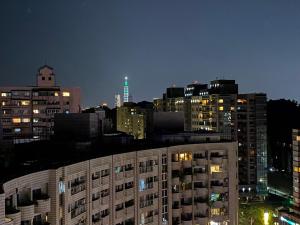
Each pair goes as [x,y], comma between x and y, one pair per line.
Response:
[212,108]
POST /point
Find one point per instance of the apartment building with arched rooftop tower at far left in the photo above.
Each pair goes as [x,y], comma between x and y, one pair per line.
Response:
[27,112]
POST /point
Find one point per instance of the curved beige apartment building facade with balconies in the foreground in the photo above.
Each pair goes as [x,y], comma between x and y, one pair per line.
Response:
[183,184]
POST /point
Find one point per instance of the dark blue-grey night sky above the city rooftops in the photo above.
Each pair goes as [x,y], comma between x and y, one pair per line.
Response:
[92,44]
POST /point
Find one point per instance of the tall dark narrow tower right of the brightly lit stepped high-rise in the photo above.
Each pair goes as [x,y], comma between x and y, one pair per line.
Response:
[252,142]
